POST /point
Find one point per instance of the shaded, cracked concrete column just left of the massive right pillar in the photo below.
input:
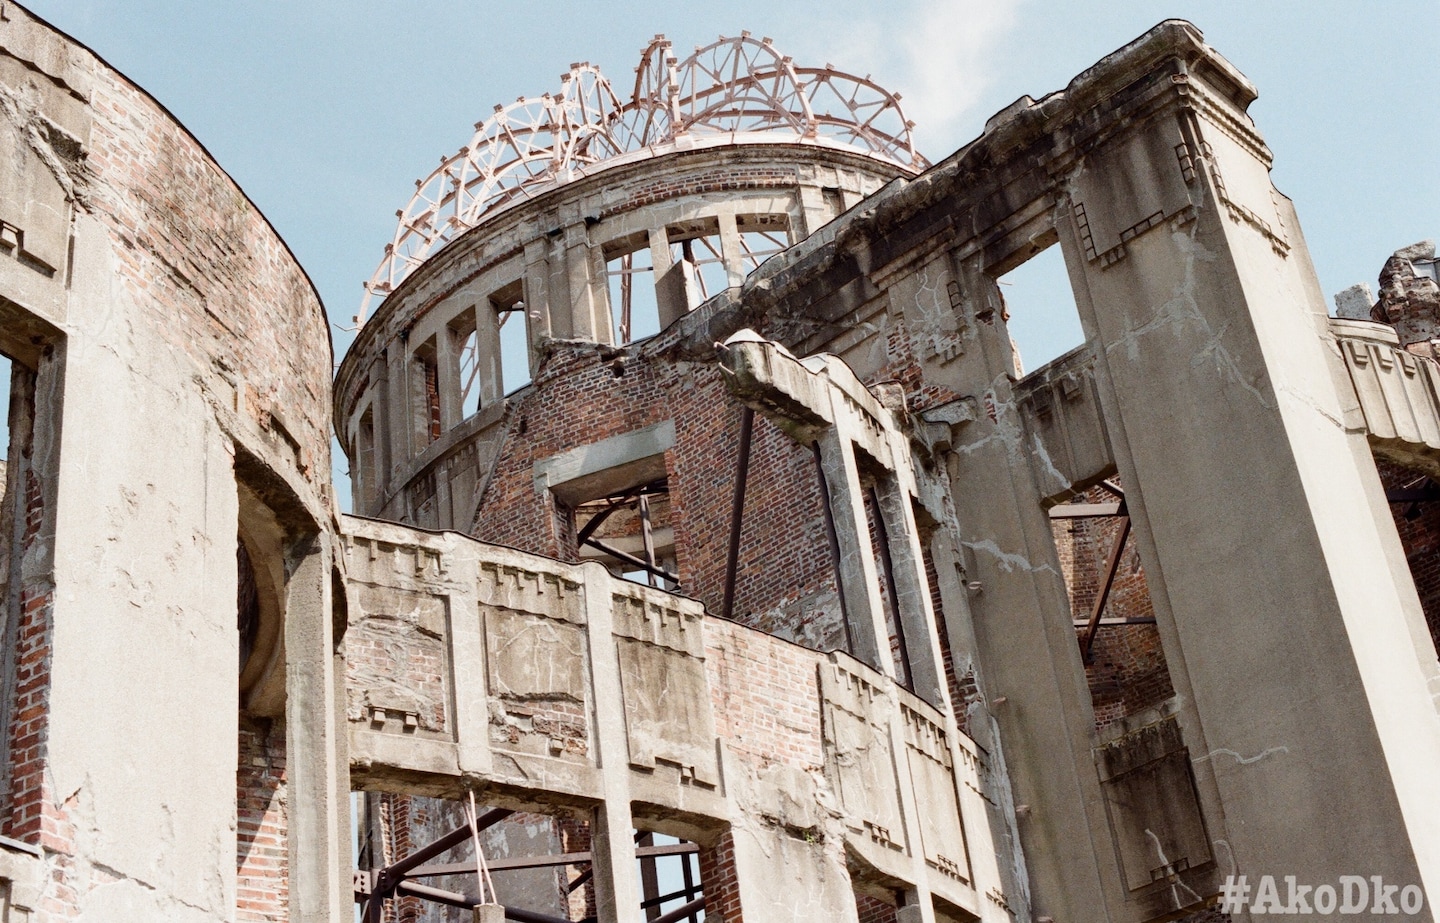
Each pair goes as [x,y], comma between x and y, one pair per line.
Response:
[1035,685]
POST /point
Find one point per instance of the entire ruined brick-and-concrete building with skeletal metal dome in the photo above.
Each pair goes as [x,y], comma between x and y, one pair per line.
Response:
[711,542]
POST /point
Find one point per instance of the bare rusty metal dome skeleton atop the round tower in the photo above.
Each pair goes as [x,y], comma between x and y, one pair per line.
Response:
[734,91]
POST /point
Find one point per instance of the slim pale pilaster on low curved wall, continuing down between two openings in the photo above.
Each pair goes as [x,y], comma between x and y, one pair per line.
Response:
[613,829]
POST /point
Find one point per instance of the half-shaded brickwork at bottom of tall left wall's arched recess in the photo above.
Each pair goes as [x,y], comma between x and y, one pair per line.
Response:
[261,826]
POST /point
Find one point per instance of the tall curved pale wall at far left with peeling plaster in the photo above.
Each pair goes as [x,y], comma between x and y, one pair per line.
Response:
[176,354]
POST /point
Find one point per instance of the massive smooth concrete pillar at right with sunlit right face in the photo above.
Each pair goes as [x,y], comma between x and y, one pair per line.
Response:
[1268,546]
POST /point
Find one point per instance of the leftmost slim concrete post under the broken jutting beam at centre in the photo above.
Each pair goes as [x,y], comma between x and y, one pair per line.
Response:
[859,577]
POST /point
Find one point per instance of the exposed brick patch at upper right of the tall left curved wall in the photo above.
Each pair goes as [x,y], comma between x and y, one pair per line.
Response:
[210,277]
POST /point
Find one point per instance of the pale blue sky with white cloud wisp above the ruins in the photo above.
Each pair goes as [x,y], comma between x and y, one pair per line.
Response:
[326,113]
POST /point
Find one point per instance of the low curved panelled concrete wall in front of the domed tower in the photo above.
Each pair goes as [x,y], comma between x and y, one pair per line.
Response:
[724,735]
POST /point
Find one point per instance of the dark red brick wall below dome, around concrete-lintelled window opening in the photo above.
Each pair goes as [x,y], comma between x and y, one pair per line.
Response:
[786,578]
